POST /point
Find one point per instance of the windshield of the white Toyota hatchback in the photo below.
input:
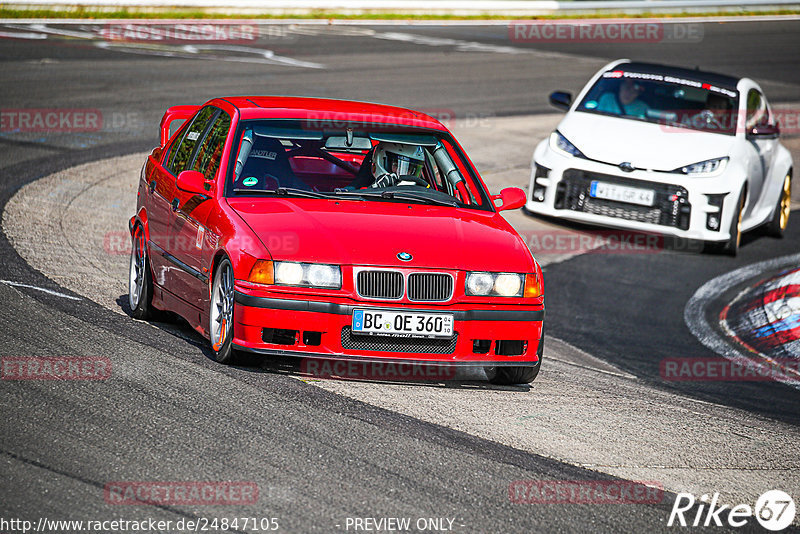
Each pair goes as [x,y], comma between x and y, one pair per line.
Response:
[668,100]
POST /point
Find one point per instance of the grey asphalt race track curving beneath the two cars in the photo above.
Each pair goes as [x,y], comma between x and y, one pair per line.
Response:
[323,451]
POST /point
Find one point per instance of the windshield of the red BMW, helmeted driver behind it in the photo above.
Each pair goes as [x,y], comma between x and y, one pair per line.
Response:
[298,158]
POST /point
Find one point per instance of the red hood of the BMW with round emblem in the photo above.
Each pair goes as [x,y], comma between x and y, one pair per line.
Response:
[373,233]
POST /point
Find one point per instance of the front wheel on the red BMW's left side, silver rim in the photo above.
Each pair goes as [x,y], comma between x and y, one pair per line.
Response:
[220,314]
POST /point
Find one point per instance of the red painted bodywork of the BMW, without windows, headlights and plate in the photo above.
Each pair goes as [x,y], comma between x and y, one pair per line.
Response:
[187,234]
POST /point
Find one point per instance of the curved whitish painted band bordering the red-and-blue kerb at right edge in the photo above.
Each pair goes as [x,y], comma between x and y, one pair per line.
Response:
[694,314]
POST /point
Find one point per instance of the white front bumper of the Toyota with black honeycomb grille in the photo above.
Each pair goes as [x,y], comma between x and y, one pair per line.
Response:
[682,209]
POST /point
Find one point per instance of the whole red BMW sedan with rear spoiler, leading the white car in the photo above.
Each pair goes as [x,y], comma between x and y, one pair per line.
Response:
[333,229]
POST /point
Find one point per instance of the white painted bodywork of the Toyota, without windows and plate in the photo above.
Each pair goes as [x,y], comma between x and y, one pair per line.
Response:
[756,165]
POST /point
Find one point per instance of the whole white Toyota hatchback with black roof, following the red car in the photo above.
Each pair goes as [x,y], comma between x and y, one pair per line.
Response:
[666,150]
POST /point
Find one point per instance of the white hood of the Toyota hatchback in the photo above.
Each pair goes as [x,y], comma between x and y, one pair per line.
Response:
[645,145]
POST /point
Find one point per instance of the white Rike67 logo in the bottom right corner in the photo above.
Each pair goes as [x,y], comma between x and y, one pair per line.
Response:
[774,510]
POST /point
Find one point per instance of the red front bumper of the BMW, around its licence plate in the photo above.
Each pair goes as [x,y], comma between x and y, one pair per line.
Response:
[322,329]
